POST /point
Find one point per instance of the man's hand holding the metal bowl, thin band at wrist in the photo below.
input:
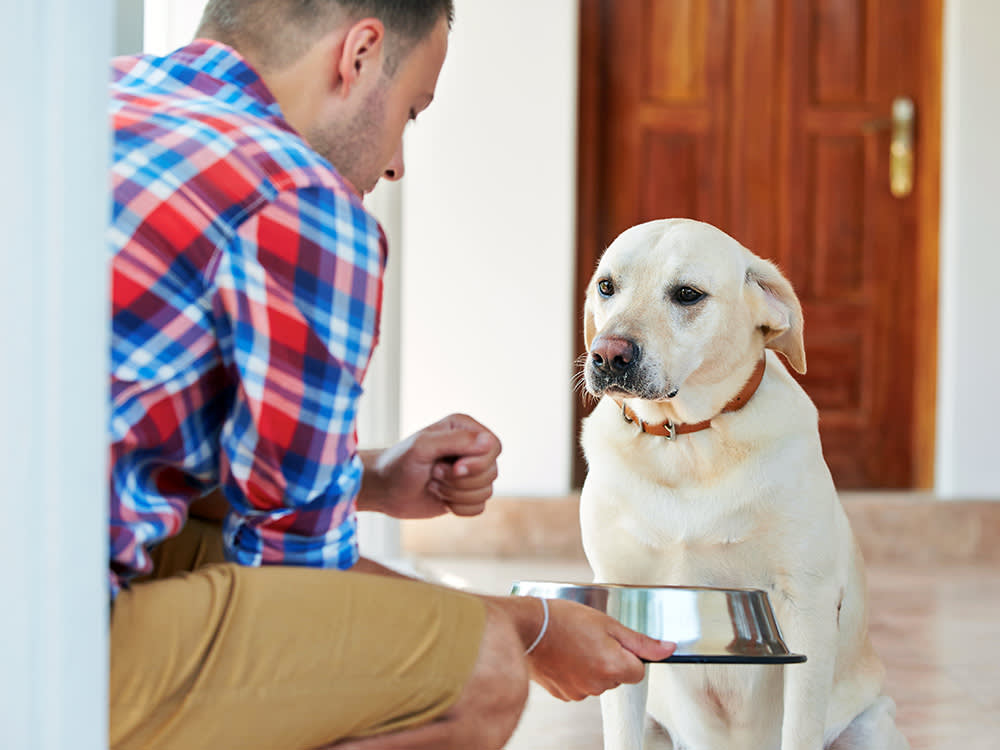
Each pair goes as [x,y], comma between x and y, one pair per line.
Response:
[583,652]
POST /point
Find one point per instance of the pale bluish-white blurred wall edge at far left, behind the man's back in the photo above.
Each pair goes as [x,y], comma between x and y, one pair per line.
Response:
[53,385]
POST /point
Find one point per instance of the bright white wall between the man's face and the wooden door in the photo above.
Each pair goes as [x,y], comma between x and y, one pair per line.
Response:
[488,221]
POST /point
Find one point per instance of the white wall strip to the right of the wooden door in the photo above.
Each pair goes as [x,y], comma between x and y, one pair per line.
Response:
[968,460]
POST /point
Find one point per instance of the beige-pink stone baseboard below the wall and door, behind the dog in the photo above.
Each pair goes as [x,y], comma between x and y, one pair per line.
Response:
[892,528]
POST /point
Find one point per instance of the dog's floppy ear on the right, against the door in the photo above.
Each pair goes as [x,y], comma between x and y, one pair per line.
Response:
[778,311]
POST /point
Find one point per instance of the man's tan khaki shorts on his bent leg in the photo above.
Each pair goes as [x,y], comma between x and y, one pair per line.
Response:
[218,656]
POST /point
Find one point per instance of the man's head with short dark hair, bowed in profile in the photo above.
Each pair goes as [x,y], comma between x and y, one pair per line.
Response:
[348,74]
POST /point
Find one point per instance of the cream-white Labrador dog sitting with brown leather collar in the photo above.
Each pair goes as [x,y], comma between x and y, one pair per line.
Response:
[705,468]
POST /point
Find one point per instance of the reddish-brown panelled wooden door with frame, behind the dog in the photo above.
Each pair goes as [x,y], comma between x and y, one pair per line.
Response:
[767,118]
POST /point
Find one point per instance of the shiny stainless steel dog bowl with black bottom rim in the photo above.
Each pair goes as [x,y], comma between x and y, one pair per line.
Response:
[709,625]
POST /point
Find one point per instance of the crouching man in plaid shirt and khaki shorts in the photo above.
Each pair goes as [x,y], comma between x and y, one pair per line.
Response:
[246,292]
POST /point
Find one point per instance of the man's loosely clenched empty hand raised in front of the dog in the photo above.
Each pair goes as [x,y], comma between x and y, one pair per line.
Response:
[447,467]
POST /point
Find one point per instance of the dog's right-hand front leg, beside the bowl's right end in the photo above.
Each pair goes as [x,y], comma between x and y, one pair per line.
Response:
[811,631]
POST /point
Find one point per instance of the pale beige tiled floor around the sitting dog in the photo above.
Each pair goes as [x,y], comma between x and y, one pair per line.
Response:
[935,627]
